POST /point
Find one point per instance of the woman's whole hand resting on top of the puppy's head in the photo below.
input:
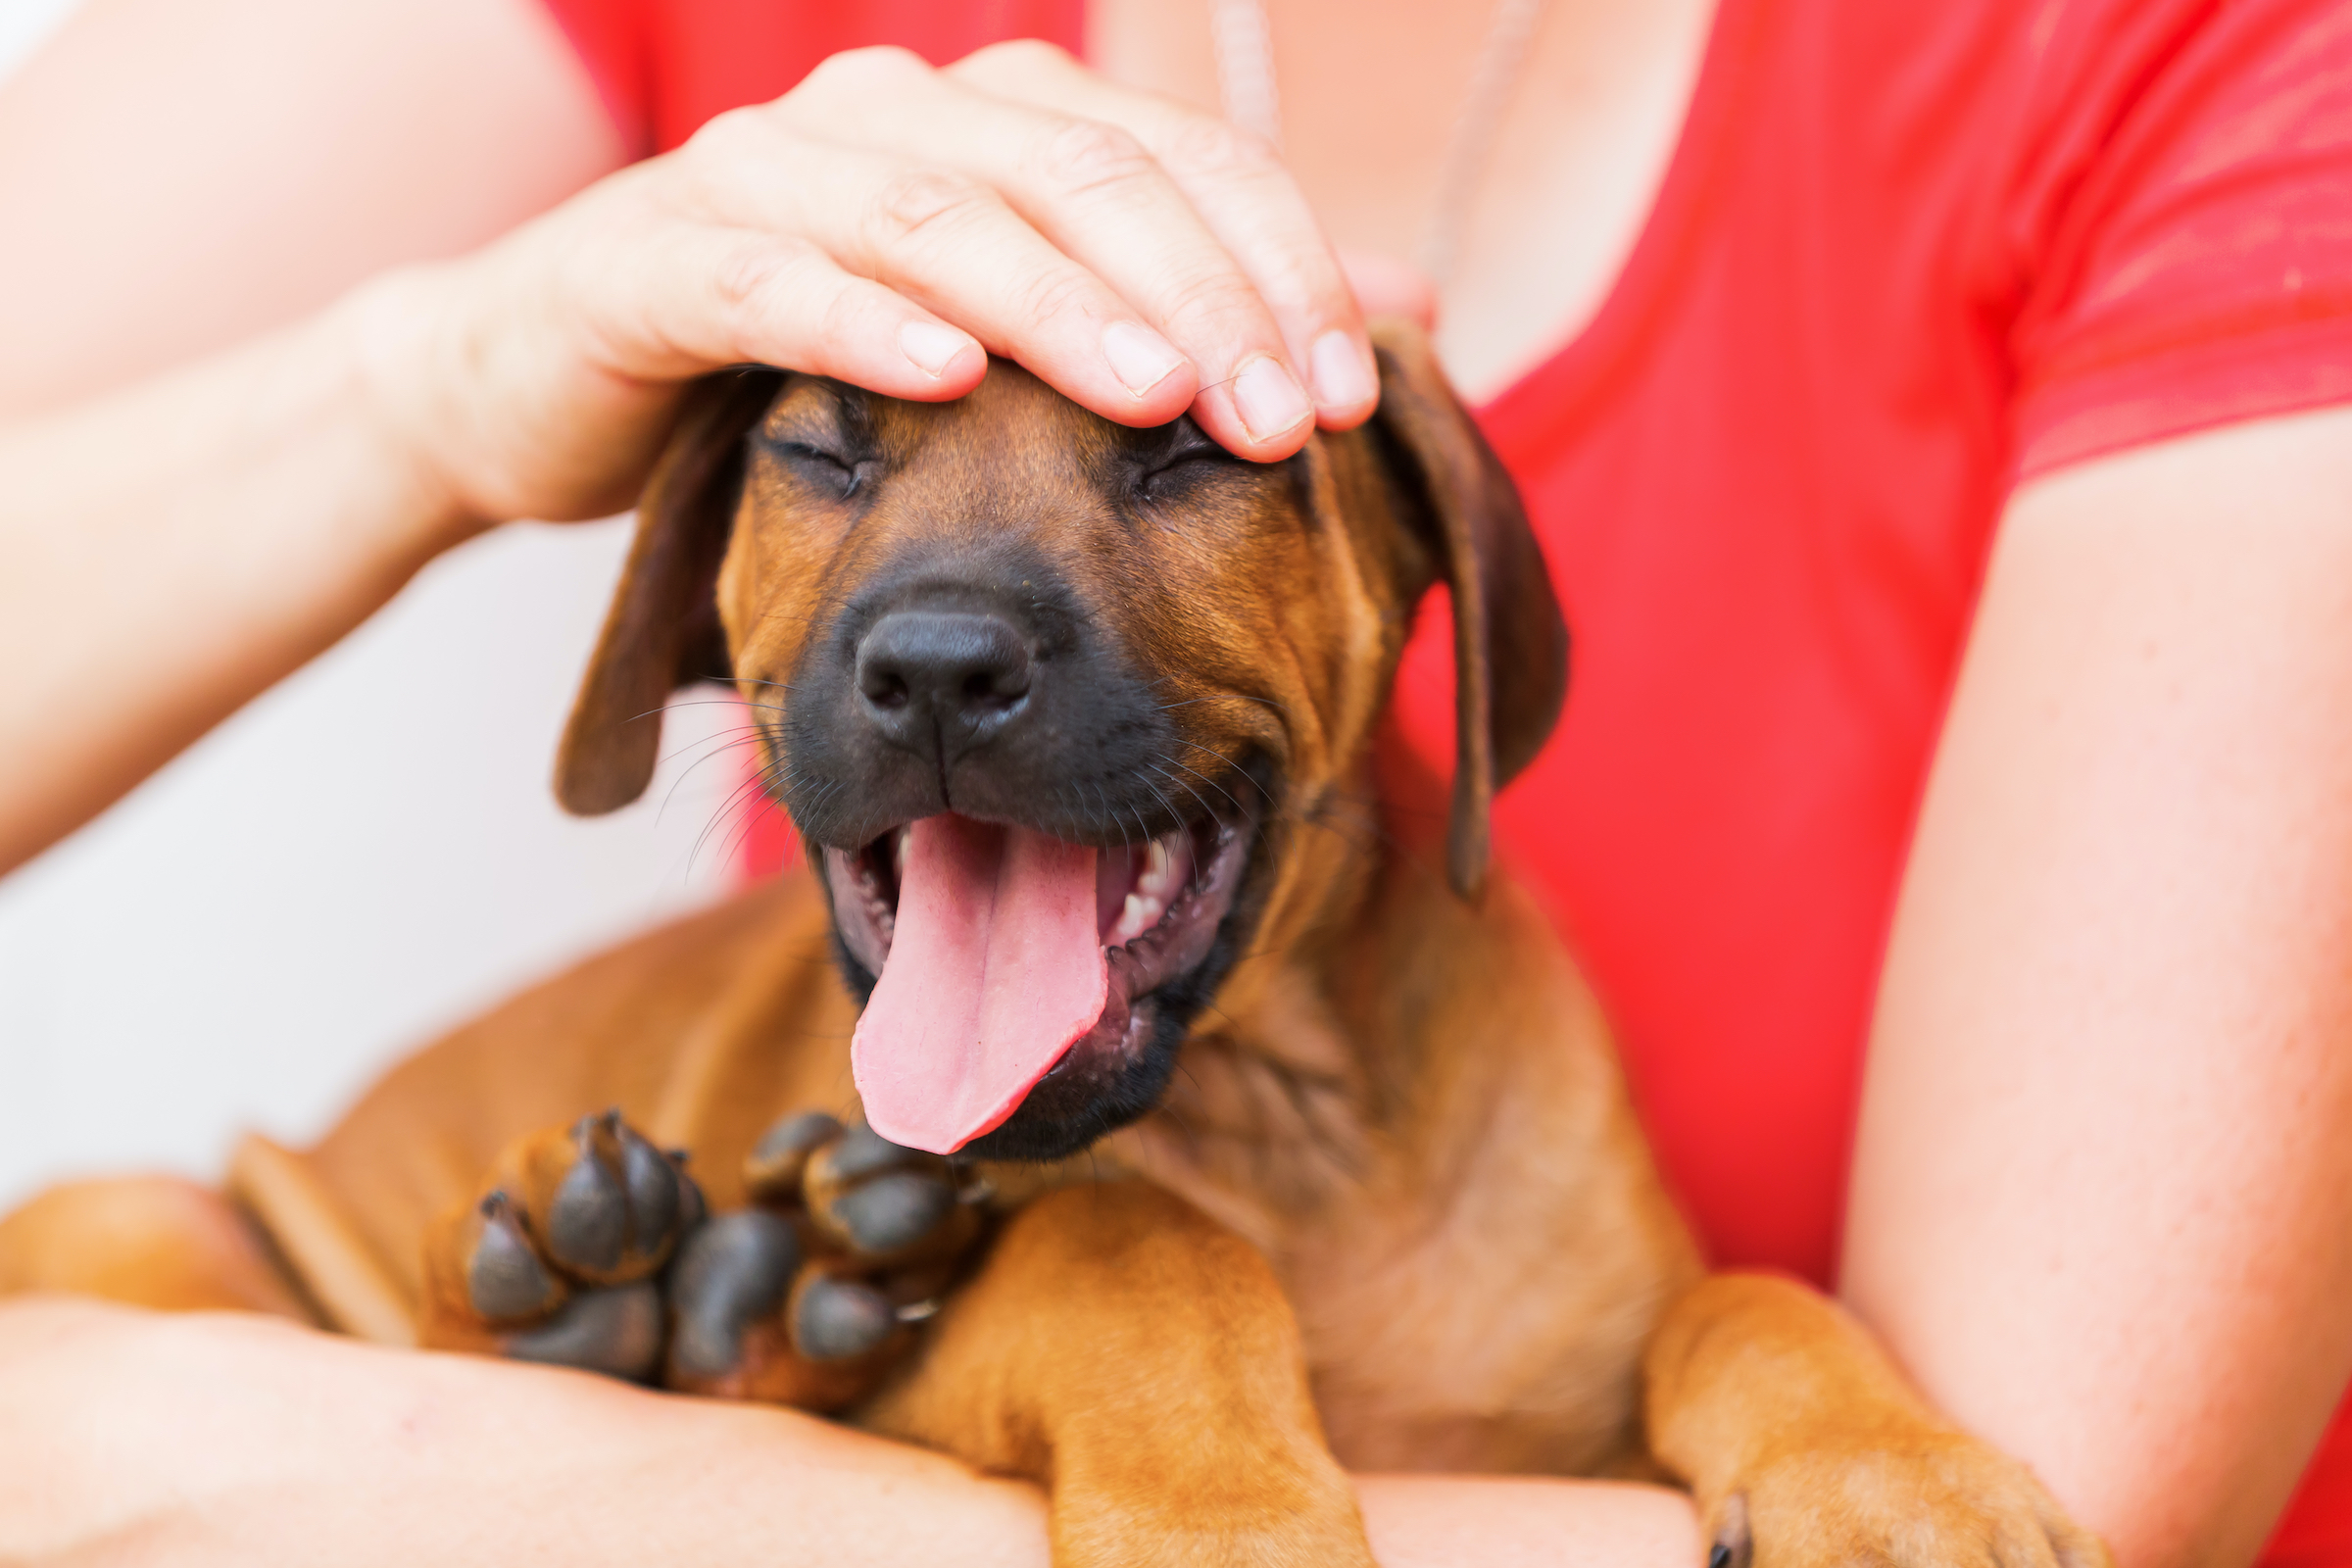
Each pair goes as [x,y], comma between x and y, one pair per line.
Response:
[888,225]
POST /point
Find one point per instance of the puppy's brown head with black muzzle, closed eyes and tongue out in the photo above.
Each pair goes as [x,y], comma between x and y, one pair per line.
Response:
[1050,702]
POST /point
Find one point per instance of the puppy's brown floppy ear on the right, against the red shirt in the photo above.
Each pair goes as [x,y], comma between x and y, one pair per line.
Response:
[1511,648]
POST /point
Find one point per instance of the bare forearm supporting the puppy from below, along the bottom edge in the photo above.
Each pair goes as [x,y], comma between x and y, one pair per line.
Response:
[225,1440]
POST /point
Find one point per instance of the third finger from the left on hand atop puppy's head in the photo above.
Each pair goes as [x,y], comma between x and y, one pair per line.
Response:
[1102,199]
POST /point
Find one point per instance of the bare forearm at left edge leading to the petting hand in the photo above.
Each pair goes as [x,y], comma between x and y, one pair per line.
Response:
[178,547]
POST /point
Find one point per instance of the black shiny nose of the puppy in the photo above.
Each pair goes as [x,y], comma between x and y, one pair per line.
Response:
[944,676]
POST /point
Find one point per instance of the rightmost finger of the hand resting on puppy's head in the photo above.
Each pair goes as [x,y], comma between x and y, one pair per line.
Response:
[1241,192]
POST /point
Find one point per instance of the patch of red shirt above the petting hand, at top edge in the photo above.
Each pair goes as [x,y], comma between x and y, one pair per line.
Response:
[664,67]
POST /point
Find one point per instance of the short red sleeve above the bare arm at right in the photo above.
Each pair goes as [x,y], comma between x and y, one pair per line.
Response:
[2186,201]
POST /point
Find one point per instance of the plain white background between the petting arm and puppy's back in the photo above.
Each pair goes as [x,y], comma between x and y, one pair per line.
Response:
[349,866]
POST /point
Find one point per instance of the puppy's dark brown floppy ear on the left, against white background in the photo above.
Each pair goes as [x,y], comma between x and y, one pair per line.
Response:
[664,629]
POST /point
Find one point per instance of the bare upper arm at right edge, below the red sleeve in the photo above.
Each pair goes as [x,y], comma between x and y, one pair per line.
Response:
[2102,1198]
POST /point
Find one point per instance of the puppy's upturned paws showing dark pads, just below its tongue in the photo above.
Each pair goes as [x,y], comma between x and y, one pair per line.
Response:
[594,1249]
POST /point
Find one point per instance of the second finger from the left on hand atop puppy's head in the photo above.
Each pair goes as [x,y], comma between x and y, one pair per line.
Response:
[949,243]
